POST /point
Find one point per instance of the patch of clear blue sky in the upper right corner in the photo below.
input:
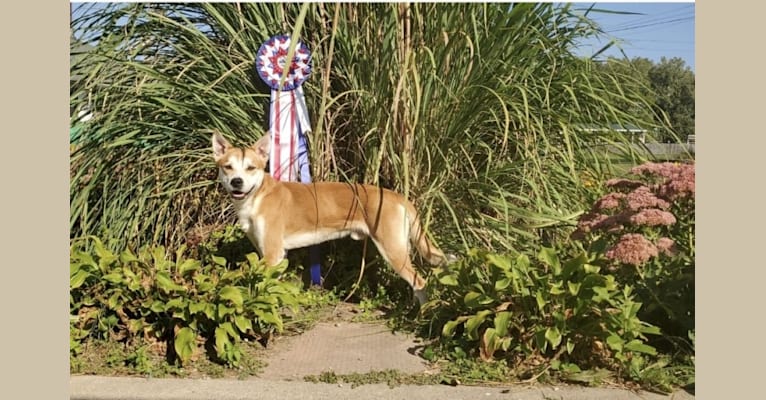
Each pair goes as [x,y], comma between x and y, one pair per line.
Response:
[664,30]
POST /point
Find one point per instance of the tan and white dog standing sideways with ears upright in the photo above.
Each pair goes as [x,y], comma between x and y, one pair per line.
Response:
[278,216]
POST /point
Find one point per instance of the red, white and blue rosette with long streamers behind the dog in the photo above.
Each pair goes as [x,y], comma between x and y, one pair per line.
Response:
[288,117]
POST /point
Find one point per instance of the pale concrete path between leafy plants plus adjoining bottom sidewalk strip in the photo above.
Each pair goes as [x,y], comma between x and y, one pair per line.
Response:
[342,347]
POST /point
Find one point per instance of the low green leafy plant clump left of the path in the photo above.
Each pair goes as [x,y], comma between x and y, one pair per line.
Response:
[185,302]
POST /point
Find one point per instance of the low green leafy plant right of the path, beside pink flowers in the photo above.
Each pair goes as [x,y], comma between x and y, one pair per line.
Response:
[568,314]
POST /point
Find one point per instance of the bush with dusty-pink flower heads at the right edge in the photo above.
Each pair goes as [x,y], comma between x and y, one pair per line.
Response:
[644,227]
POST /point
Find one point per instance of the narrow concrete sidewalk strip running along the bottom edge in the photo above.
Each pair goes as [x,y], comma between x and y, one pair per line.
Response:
[103,388]
